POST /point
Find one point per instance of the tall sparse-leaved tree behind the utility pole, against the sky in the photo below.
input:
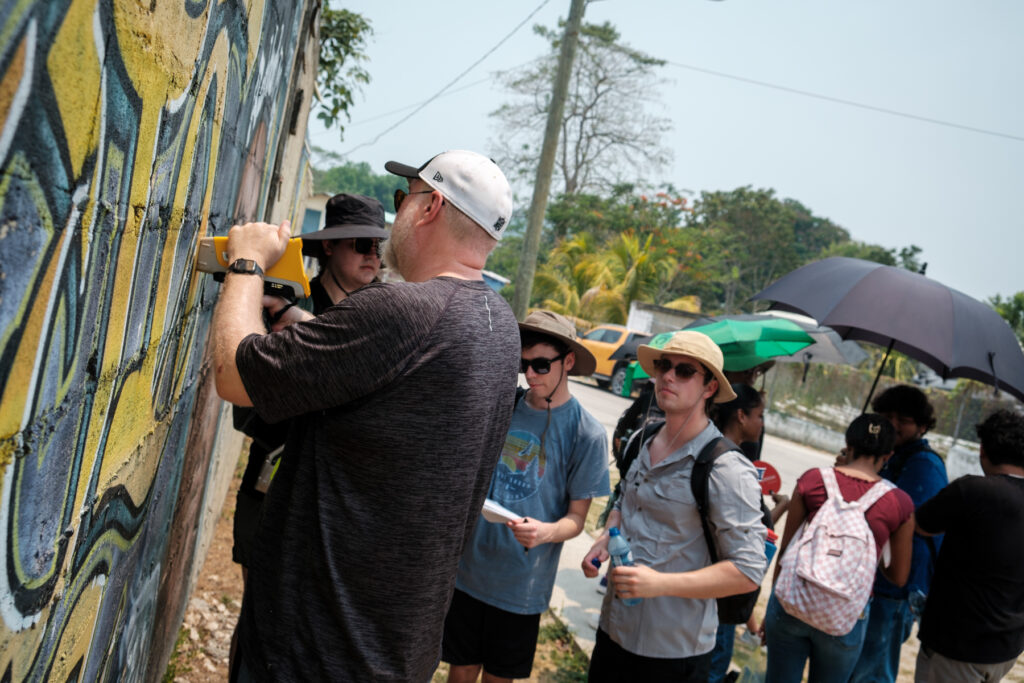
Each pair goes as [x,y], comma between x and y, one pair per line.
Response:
[607,133]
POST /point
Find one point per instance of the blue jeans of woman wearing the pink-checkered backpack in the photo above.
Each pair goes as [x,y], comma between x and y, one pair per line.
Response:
[791,643]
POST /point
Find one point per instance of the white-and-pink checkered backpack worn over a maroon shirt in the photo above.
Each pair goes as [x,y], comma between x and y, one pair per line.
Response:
[829,569]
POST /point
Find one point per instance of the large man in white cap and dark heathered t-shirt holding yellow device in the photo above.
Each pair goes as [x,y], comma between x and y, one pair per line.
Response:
[401,399]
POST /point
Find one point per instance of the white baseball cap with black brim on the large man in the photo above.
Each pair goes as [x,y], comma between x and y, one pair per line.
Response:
[471,182]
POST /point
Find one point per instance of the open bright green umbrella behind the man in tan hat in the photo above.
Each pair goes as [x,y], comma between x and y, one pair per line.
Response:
[747,344]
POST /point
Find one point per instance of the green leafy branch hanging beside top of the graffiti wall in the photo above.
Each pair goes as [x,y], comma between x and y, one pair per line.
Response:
[344,36]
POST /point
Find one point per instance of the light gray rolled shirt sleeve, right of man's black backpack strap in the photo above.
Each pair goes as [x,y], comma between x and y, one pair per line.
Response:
[735,513]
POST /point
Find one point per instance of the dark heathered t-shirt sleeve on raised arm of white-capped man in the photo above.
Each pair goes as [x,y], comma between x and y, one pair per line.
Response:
[351,351]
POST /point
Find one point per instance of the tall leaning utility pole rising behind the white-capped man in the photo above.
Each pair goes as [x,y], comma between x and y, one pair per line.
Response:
[542,186]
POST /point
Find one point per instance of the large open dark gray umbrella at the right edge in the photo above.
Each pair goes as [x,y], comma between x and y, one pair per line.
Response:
[950,332]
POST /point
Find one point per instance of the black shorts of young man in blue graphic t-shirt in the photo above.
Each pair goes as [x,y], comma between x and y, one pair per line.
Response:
[477,633]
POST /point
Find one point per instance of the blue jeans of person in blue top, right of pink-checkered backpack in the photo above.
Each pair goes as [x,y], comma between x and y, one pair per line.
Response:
[888,628]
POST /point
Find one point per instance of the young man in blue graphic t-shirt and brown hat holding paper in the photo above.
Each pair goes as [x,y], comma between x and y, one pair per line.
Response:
[554,461]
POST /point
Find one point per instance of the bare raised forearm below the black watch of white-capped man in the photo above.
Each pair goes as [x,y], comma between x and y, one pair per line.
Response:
[236,317]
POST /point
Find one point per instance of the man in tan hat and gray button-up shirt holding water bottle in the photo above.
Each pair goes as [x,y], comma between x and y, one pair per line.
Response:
[671,634]
